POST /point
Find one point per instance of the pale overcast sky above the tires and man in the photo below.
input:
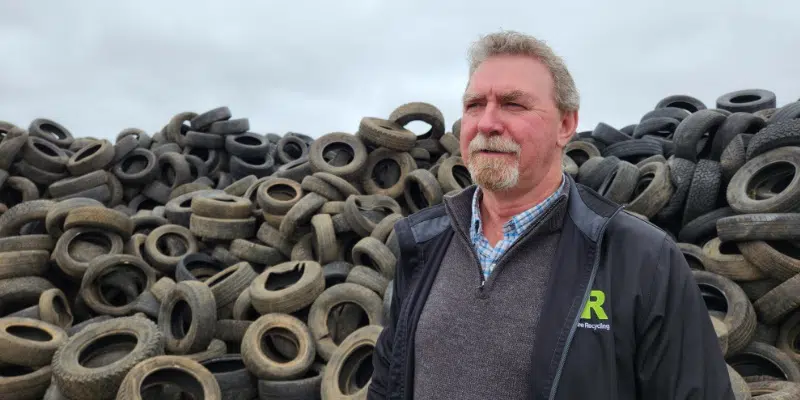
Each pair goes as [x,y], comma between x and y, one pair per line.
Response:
[316,67]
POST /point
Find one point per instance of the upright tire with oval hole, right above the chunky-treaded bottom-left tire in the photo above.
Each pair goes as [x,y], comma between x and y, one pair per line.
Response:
[187,318]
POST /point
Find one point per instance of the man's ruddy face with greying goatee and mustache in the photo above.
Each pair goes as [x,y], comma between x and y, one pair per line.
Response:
[511,129]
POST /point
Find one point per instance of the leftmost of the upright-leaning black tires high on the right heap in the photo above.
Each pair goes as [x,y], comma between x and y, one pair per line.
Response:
[688,134]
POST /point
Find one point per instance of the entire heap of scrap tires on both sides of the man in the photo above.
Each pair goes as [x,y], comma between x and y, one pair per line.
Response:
[209,259]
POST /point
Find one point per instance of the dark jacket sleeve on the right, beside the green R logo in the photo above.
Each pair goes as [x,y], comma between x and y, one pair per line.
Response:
[678,355]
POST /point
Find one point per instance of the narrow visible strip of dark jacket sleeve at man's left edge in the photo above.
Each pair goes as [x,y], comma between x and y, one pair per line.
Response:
[381,356]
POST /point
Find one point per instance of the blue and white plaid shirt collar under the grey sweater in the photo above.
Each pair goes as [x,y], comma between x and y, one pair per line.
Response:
[512,230]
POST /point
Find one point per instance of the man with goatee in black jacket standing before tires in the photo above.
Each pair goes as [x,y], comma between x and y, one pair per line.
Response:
[527,285]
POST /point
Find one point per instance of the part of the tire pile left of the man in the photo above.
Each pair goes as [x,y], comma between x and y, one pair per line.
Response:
[206,259]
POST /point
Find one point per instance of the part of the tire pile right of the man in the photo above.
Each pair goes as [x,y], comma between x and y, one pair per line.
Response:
[725,184]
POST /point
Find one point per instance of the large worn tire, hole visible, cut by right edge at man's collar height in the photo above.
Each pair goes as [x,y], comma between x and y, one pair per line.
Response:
[751,175]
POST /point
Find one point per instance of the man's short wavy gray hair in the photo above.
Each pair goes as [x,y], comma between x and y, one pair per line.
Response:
[516,43]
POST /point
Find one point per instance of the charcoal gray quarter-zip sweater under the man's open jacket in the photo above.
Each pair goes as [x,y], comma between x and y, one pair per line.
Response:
[474,343]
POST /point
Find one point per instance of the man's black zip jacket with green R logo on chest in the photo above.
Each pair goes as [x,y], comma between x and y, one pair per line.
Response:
[623,317]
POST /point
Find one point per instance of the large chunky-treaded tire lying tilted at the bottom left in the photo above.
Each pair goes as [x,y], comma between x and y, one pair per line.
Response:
[79,382]
